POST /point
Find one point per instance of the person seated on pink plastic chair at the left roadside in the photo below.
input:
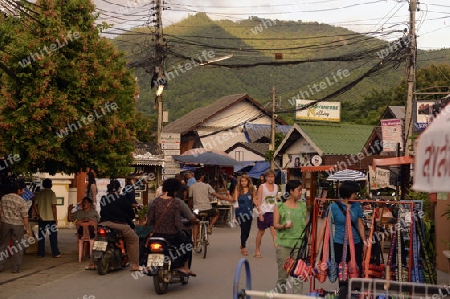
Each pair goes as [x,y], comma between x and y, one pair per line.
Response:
[86,213]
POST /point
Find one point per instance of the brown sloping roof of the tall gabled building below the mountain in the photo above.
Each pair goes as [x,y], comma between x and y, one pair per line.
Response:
[196,117]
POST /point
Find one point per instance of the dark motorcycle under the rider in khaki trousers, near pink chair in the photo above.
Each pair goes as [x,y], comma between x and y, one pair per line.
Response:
[109,250]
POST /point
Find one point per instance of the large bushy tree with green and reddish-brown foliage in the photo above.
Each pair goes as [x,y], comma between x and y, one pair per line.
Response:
[70,102]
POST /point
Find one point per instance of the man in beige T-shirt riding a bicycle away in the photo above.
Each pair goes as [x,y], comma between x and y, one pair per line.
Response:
[200,192]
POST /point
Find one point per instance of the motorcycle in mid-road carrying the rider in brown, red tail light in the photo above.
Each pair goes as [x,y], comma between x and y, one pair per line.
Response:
[161,264]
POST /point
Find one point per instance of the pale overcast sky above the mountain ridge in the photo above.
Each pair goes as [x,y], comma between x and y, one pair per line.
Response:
[433,19]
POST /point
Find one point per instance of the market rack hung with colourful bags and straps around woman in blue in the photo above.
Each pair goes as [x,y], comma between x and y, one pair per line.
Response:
[403,233]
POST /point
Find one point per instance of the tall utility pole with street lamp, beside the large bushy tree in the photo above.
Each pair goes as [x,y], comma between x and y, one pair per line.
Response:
[159,69]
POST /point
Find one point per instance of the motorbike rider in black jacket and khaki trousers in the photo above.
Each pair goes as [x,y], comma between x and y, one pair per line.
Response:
[116,212]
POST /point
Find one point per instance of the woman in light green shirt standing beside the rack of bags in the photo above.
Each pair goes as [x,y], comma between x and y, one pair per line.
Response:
[289,219]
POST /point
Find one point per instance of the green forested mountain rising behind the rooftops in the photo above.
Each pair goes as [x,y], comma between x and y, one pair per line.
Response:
[312,53]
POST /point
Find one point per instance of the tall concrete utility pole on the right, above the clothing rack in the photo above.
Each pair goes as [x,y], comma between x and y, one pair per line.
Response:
[411,79]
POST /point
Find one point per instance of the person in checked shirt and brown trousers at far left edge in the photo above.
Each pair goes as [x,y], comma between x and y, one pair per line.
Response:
[14,222]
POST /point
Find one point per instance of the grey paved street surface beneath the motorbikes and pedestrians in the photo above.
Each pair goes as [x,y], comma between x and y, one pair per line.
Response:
[214,275]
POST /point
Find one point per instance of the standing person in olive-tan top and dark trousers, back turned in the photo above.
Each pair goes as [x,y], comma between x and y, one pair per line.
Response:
[45,208]
